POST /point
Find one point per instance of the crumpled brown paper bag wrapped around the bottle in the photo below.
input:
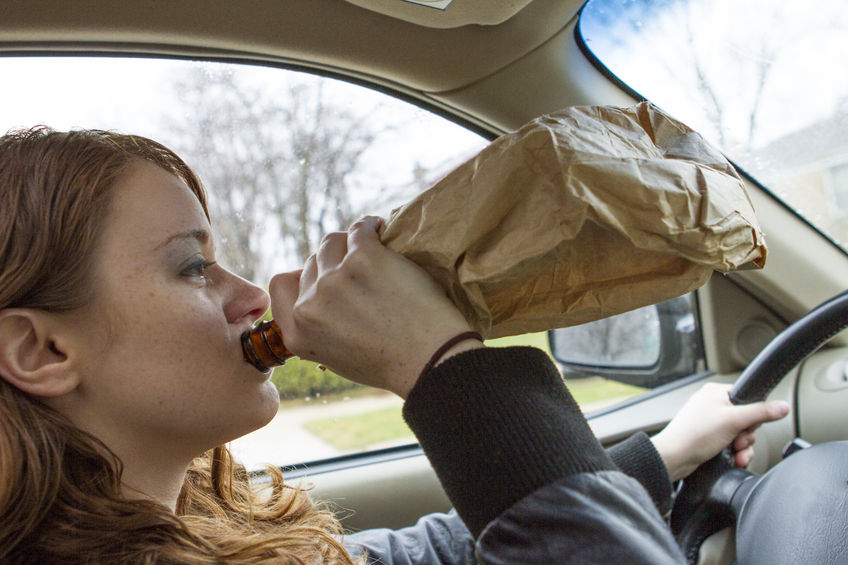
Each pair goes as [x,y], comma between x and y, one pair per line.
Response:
[579,215]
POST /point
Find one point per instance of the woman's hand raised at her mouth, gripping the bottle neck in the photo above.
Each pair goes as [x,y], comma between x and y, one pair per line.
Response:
[365,311]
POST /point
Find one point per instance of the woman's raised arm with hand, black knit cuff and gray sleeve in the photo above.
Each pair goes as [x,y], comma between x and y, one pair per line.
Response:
[504,435]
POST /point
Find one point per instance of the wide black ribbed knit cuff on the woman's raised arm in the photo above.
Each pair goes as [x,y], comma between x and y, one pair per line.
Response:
[498,424]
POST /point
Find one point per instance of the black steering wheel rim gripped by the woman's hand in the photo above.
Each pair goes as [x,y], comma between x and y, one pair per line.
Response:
[712,496]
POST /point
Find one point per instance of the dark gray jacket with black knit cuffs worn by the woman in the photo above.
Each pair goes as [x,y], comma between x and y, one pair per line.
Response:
[529,482]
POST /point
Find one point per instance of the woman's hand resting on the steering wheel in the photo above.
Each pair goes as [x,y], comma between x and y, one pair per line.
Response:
[707,423]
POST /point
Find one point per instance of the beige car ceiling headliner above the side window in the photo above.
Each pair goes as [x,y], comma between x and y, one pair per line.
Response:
[328,34]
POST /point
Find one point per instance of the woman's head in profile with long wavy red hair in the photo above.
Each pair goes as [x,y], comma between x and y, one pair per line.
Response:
[120,364]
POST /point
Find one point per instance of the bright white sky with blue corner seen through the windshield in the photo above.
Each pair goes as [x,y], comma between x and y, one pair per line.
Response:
[803,45]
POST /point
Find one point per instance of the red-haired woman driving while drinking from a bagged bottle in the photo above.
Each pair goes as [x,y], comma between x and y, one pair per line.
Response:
[120,362]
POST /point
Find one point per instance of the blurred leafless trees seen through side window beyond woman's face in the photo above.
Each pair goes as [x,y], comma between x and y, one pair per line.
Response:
[277,162]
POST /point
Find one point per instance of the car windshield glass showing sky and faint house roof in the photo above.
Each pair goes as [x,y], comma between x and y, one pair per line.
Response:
[763,80]
